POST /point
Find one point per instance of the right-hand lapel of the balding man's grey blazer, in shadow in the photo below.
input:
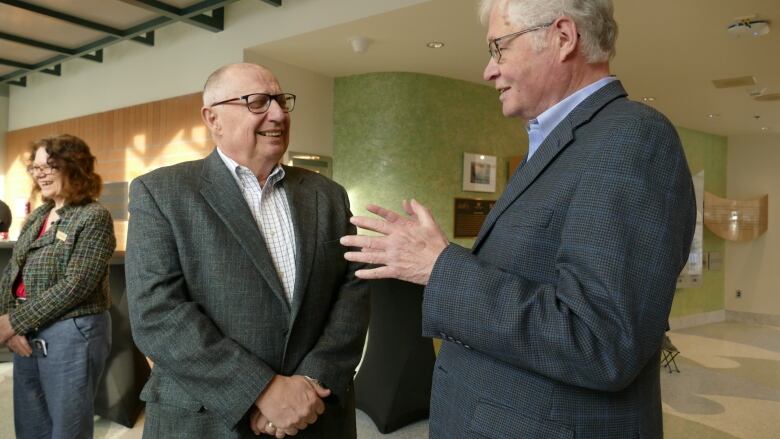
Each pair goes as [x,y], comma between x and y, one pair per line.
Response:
[303,208]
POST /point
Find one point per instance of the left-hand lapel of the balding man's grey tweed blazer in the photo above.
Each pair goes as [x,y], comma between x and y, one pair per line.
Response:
[224,196]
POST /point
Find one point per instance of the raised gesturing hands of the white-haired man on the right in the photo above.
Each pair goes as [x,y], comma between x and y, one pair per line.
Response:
[407,249]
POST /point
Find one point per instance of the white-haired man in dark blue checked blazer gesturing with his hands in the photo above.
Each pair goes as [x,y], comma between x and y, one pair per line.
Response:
[552,323]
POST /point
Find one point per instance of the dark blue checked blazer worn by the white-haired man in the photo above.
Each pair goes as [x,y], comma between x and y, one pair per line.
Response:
[552,323]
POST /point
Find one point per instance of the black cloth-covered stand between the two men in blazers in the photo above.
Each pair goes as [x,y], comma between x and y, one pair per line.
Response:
[393,386]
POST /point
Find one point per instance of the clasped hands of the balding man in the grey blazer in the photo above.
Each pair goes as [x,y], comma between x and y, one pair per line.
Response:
[287,405]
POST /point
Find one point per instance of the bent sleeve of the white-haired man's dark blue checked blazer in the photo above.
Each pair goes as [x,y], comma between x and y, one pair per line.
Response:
[625,236]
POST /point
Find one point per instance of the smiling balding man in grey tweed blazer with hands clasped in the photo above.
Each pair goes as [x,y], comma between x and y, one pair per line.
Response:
[237,286]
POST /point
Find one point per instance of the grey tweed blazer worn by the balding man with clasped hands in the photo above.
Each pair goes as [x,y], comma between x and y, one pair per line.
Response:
[207,306]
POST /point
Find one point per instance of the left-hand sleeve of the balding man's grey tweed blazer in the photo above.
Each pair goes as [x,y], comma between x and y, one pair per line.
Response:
[172,330]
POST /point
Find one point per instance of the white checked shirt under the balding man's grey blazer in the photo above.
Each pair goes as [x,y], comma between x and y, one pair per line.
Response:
[271,211]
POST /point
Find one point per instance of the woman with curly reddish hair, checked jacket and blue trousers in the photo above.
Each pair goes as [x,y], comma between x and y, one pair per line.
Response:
[54,296]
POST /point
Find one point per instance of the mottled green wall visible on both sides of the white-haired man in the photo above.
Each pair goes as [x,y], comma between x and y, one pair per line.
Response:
[403,135]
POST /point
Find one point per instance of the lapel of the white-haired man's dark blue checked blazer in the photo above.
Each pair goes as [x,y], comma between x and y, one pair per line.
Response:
[562,136]
